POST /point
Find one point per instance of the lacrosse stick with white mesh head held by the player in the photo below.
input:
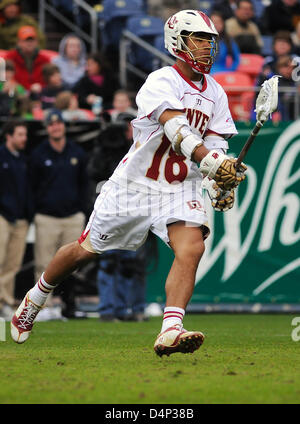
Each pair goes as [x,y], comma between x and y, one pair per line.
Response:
[266,104]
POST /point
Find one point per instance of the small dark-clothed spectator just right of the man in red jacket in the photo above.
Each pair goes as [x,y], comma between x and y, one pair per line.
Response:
[54,85]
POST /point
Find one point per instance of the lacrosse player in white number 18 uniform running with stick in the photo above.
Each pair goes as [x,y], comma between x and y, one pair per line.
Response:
[183,120]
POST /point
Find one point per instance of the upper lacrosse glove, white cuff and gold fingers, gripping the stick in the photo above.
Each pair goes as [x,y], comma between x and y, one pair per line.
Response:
[222,169]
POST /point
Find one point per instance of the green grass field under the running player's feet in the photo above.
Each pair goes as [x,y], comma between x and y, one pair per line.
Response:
[245,359]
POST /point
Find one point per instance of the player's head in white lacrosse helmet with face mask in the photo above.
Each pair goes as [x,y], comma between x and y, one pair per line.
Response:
[191,36]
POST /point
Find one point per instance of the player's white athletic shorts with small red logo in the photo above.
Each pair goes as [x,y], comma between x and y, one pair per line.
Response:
[122,218]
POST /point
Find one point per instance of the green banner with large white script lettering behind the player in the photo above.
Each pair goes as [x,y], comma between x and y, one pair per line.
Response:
[252,253]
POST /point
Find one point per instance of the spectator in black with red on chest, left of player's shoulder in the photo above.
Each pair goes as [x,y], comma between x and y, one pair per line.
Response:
[98,82]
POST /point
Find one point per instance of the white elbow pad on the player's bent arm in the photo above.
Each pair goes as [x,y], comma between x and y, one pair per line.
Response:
[184,141]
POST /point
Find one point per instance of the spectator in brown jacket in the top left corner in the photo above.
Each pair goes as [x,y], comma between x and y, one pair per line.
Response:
[11,20]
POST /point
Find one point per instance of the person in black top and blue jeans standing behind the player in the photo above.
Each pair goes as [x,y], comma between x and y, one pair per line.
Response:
[121,275]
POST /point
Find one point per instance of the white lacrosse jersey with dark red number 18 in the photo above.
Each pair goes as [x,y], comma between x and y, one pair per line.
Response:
[151,163]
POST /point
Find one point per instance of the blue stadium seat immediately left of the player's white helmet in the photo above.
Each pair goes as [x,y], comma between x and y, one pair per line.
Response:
[149,29]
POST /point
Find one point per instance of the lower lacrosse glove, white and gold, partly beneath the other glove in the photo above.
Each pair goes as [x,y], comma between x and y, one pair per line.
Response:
[220,200]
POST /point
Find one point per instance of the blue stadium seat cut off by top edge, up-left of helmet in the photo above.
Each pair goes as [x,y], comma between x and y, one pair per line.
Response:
[113,18]
